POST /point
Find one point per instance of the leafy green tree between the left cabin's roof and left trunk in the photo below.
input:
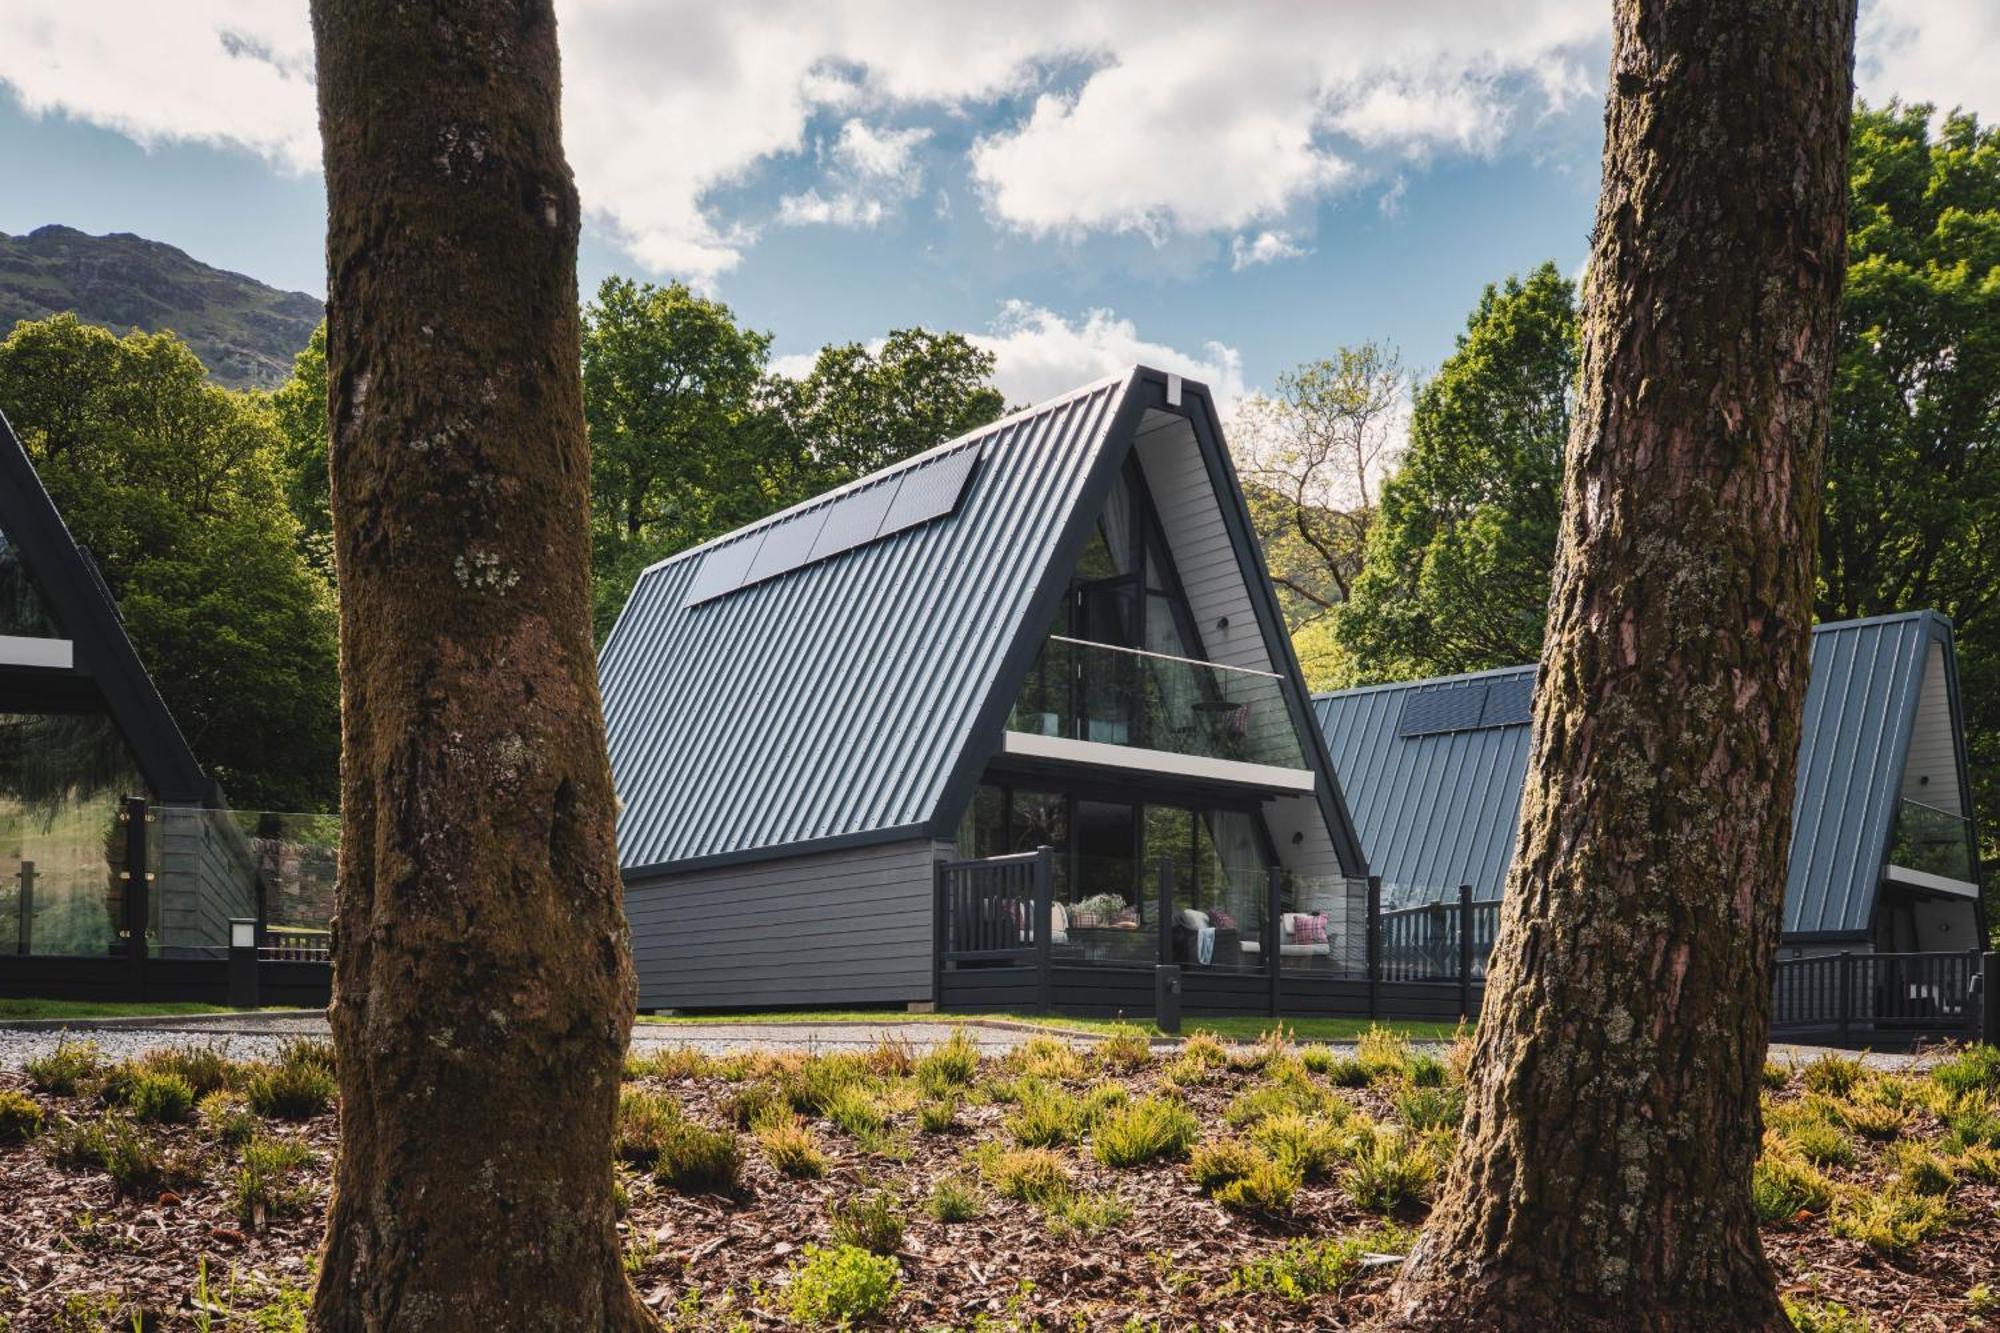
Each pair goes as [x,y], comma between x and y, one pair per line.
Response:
[177,489]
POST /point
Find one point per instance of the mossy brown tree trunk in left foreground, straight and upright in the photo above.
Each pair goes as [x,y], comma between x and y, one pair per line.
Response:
[483,990]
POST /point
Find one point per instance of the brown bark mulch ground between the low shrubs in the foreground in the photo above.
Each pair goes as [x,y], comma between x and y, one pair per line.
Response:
[83,1254]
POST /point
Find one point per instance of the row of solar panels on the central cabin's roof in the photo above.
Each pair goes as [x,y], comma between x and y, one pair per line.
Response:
[897,503]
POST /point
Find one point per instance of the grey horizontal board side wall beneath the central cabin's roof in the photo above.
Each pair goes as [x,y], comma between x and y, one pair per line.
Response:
[843,928]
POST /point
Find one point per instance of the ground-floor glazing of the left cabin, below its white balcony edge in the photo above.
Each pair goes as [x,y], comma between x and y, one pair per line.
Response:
[61,844]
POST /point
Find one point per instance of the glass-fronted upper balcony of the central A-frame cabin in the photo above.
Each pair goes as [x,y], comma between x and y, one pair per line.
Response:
[1151,702]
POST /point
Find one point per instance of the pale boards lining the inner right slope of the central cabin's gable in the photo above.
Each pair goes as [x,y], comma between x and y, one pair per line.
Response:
[1191,517]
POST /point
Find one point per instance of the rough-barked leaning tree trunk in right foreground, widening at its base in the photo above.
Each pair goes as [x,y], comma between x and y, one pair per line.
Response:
[1613,1122]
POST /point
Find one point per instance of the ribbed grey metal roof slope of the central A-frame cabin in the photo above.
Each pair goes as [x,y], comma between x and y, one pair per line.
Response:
[831,704]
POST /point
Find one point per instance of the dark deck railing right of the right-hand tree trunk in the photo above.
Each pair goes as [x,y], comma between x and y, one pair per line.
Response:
[1881,992]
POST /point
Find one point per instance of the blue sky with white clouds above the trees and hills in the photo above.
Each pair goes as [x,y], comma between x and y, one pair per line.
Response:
[1215,189]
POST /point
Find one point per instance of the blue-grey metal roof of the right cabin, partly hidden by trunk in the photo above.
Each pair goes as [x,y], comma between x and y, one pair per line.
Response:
[1441,810]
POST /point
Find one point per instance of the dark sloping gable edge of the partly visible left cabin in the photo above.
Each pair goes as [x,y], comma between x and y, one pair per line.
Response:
[99,659]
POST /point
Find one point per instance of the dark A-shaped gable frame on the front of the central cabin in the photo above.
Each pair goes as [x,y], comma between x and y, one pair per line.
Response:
[1177,435]
